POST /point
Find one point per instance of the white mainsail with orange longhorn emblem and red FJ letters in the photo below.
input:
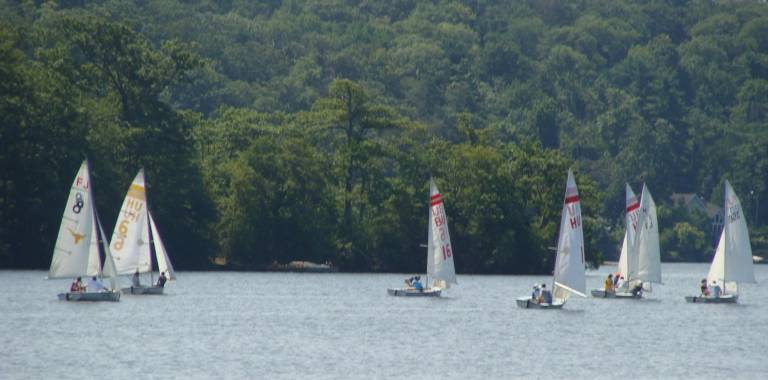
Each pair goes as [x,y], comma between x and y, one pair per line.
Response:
[72,254]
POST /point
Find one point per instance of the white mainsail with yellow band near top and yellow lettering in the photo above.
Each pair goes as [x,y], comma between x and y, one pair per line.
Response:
[130,239]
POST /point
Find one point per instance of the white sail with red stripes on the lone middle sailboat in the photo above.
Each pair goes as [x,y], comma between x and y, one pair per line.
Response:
[439,252]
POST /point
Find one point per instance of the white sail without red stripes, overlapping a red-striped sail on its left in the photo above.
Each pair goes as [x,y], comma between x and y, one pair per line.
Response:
[647,241]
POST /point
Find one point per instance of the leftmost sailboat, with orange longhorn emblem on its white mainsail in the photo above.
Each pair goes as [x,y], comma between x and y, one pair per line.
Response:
[80,242]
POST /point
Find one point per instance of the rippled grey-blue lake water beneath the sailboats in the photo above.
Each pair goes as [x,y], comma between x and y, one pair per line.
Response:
[345,326]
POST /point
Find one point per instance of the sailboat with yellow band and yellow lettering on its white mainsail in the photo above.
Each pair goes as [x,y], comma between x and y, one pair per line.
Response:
[136,238]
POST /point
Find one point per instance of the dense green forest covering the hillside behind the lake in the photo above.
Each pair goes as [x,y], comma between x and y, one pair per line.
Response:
[280,130]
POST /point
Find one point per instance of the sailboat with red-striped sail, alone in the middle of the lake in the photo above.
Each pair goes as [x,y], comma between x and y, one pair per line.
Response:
[440,266]
